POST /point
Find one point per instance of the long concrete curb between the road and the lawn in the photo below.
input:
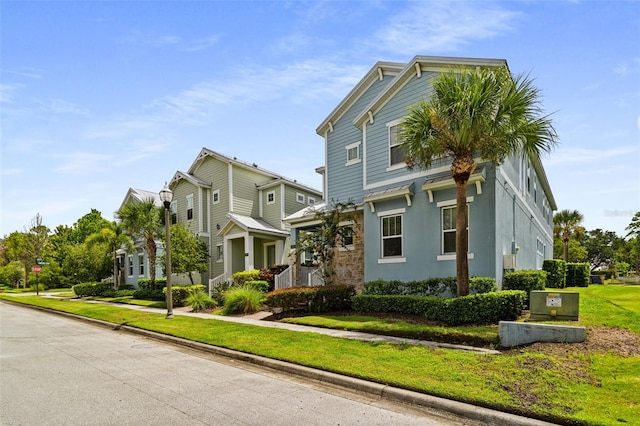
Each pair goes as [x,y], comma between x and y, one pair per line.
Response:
[472,412]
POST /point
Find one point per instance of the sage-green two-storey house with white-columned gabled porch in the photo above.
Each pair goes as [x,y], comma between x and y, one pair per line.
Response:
[237,209]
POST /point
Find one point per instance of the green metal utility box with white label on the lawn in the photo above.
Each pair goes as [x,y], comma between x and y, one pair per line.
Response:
[554,305]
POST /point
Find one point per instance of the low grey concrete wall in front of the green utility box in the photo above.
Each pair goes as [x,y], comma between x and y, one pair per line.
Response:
[521,333]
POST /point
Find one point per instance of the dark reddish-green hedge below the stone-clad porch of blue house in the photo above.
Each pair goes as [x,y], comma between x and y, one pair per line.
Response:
[312,299]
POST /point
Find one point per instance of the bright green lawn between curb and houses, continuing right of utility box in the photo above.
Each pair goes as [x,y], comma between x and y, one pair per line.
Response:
[564,385]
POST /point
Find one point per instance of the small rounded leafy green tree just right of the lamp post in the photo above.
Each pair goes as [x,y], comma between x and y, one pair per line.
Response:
[188,253]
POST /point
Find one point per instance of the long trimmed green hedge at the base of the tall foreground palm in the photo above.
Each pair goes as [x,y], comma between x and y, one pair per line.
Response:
[486,308]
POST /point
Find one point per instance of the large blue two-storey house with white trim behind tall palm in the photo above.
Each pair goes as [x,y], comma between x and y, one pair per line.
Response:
[407,217]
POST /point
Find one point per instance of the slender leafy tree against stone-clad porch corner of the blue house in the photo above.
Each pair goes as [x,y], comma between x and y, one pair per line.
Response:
[327,235]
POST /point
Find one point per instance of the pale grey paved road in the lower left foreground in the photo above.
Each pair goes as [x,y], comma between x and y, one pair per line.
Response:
[58,371]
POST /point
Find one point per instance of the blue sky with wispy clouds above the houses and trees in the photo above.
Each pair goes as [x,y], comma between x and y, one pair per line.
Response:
[97,97]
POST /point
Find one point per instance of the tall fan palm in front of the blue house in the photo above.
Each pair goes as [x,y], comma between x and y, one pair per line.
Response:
[475,112]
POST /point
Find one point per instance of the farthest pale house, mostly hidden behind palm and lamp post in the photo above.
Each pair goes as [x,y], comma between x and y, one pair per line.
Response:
[134,265]
